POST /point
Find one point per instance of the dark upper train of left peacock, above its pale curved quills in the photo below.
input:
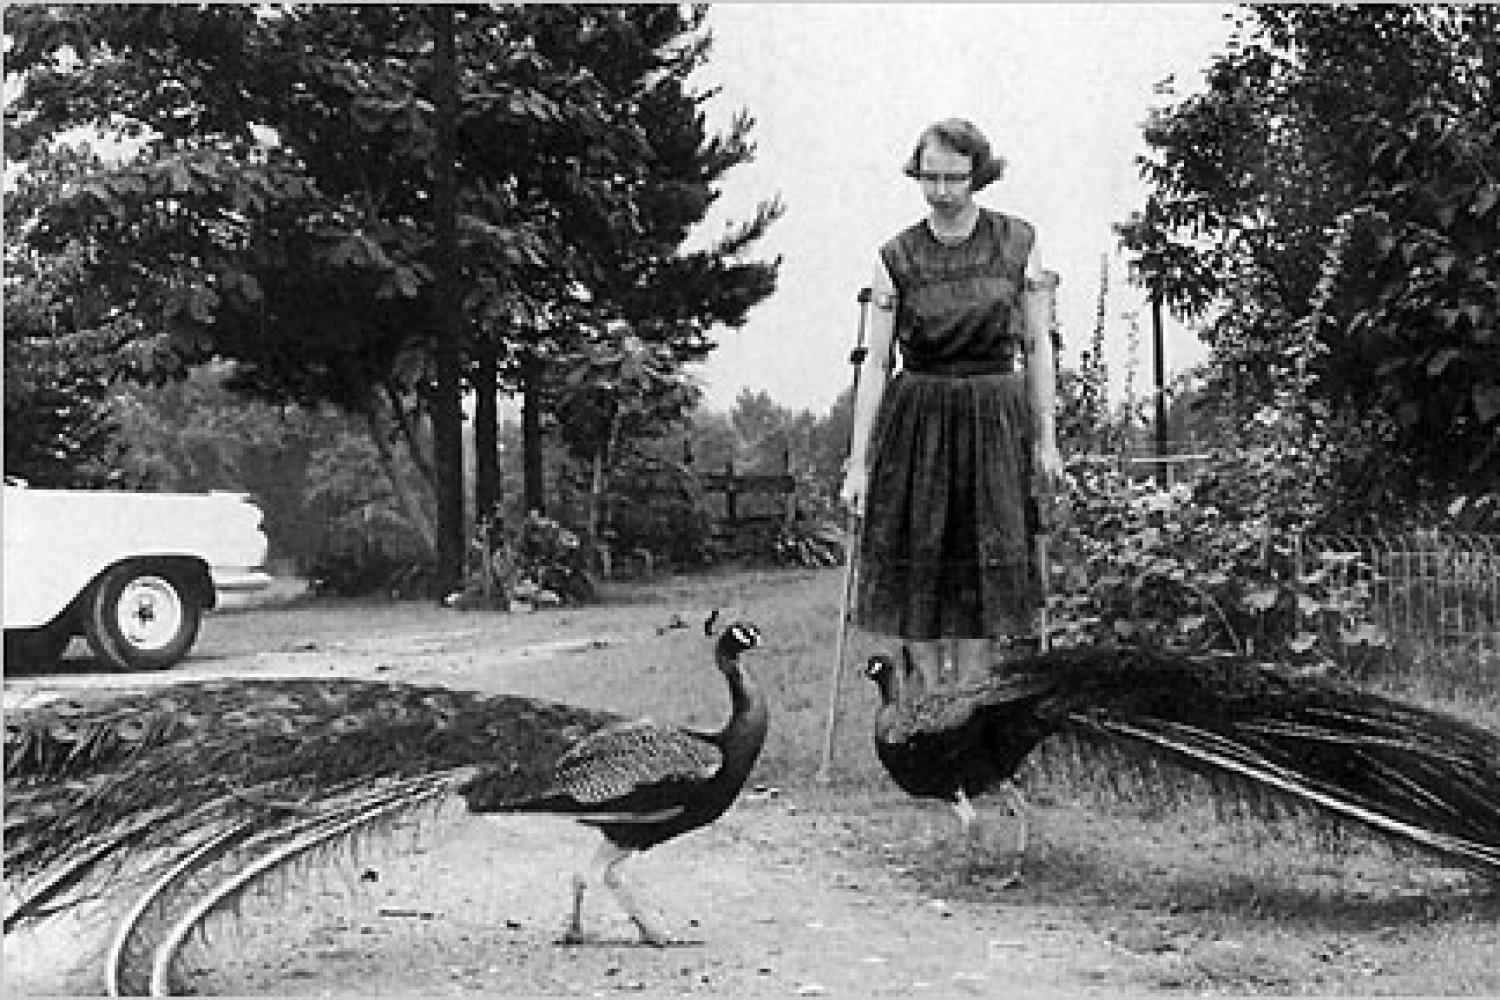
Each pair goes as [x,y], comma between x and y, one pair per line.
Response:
[106,786]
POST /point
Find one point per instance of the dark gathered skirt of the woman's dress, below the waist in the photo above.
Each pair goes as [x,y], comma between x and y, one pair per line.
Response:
[947,543]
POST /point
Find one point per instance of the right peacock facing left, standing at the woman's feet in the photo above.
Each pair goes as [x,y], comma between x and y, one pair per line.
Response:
[1405,771]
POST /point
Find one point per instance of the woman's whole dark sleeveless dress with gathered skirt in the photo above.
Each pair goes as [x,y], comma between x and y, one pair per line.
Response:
[949,513]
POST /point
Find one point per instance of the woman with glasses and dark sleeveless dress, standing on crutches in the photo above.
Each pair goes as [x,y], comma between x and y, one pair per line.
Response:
[946,457]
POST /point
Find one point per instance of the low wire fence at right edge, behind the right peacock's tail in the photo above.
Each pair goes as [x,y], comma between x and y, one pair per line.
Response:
[1427,587]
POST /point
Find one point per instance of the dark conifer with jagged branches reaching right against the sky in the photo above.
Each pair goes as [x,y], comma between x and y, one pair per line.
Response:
[644,289]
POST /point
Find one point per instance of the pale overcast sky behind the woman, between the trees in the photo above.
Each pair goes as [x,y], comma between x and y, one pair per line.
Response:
[841,92]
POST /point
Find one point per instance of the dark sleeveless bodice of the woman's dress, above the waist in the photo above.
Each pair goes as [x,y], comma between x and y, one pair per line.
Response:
[959,307]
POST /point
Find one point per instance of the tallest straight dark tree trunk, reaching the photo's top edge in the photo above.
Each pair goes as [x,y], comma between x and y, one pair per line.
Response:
[448,415]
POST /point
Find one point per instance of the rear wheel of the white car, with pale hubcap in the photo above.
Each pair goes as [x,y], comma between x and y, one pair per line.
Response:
[142,618]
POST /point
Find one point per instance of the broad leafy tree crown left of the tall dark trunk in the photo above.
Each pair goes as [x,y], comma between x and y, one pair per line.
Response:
[269,212]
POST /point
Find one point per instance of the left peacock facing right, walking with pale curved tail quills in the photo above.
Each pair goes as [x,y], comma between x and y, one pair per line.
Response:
[181,798]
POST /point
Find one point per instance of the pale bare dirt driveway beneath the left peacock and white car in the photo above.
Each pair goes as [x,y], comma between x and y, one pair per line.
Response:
[775,900]
